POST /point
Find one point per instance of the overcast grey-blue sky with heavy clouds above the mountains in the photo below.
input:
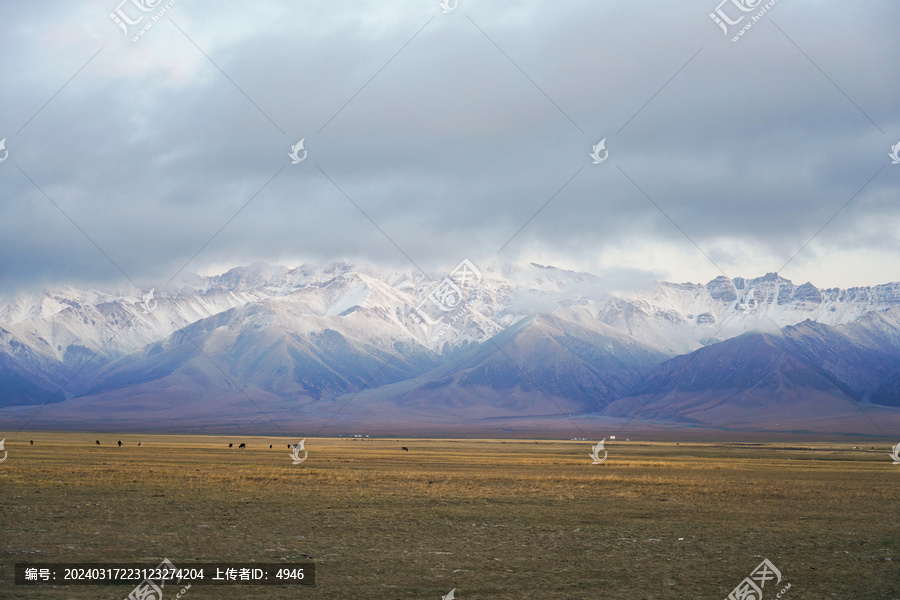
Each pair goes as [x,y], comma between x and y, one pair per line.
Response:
[434,137]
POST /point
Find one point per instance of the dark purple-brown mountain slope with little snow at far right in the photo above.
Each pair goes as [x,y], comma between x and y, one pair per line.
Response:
[759,381]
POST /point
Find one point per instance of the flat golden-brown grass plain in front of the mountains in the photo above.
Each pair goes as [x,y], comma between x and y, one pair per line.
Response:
[490,518]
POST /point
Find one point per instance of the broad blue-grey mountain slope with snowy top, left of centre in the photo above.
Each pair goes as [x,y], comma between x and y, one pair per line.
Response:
[277,347]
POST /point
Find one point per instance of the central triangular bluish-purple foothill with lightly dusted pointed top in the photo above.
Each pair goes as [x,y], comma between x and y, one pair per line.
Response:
[543,365]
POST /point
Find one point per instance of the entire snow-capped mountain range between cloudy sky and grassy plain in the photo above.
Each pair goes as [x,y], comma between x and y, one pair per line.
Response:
[493,341]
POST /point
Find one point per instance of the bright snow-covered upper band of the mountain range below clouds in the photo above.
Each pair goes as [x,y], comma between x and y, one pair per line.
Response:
[65,323]
